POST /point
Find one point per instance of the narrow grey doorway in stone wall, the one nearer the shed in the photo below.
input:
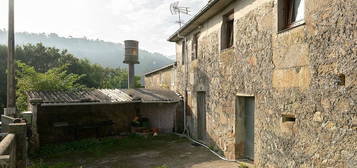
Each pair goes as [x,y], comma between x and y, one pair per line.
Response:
[201,115]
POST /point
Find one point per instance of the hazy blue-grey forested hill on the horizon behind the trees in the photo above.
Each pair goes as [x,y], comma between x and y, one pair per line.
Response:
[97,51]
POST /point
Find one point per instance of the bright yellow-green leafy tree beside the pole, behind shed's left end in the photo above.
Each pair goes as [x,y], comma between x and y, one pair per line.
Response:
[28,79]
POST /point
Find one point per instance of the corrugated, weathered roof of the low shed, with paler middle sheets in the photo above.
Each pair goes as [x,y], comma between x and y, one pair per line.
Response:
[102,96]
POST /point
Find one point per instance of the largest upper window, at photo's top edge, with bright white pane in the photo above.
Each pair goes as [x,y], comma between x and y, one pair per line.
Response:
[290,13]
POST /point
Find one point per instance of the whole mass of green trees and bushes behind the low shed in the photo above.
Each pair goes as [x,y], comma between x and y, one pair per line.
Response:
[48,68]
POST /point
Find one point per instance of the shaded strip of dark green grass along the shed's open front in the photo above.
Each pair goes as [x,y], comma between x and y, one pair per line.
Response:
[91,149]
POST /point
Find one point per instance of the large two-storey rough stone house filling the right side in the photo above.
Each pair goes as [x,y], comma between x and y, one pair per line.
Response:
[272,81]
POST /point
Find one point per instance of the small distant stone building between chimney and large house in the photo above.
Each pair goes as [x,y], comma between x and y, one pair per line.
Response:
[162,78]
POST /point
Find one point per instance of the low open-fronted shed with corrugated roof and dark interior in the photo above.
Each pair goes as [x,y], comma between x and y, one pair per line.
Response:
[60,116]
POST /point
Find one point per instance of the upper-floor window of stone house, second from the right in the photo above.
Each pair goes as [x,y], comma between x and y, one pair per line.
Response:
[227,31]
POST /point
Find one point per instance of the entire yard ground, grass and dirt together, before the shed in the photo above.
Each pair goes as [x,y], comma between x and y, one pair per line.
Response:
[167,151]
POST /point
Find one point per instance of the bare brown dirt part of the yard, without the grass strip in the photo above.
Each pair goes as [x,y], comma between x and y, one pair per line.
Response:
[172,155]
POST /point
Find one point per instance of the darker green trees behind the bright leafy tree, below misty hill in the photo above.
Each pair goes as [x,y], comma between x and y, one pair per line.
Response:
[42,59]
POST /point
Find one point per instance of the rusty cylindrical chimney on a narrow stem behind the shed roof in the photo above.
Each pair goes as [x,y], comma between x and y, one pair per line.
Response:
[131,58]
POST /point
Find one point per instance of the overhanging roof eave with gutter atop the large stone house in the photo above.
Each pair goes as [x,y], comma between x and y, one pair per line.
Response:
[211,9]
